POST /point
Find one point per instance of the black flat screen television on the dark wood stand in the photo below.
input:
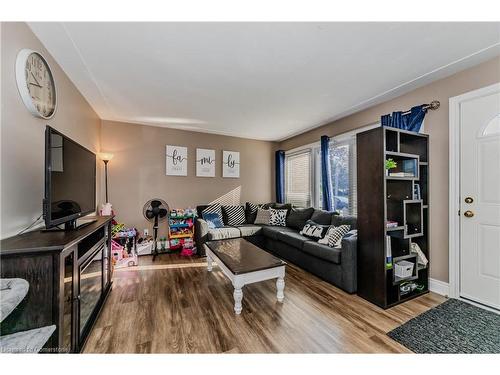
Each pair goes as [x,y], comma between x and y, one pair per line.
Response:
[70,180]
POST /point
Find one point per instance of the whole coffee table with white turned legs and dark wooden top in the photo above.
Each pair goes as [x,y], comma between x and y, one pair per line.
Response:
[244,263]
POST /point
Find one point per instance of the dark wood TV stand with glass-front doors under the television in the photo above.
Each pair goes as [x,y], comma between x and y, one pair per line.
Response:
[69,273]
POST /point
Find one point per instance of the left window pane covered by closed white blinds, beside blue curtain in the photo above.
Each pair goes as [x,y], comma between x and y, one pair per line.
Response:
[298,178]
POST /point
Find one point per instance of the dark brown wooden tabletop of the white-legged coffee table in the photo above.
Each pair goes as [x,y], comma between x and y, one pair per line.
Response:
[241,256]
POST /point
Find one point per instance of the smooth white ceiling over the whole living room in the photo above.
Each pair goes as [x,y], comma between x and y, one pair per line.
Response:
[257,80]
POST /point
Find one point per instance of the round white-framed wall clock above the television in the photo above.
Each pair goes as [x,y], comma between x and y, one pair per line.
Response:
[35,83]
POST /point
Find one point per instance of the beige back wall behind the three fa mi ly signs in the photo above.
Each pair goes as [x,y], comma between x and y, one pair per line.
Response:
[137,171]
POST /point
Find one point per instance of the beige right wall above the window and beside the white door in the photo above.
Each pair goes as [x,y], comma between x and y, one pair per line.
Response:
[436,125]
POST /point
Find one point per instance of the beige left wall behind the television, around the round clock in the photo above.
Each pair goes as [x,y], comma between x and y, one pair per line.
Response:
[22,135]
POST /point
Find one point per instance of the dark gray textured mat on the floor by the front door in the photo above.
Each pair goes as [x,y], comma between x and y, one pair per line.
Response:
[452,327]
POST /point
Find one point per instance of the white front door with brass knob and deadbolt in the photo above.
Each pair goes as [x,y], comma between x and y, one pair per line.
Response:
[480,199]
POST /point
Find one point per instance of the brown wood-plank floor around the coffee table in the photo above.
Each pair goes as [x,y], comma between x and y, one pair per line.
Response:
[175,306]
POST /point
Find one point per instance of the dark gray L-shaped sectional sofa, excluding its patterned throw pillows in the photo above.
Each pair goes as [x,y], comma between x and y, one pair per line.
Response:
[337,266]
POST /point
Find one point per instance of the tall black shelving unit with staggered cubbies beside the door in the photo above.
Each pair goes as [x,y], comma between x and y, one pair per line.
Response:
[384,197]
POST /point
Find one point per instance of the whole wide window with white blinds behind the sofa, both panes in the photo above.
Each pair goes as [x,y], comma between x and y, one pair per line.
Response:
[303,174]
